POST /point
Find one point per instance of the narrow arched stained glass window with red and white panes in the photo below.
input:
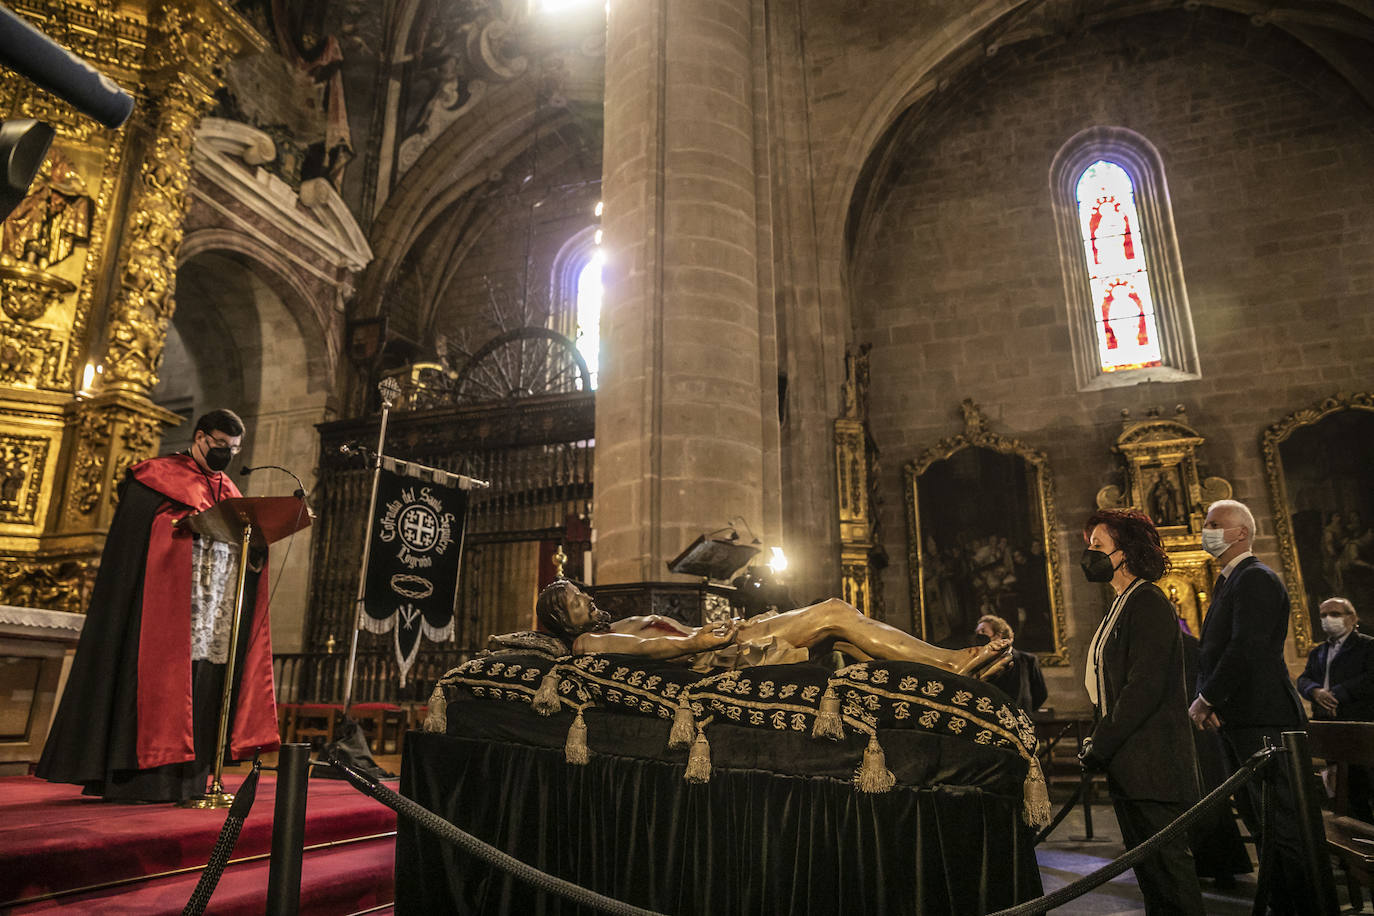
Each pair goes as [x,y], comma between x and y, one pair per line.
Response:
[1118,273]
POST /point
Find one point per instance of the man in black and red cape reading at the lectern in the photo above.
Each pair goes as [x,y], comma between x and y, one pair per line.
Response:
[139,716]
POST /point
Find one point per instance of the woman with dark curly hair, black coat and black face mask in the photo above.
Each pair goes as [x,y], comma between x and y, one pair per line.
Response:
[1142,738]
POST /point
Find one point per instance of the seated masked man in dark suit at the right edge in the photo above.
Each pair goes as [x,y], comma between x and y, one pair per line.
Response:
[1339,680]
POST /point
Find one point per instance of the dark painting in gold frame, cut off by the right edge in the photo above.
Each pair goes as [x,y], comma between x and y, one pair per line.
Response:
[1320,463]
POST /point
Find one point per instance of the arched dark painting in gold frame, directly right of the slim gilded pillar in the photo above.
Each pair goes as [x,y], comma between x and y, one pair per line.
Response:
[980,540]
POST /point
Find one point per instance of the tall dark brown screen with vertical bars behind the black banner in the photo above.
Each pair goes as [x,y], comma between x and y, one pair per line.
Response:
[538,455]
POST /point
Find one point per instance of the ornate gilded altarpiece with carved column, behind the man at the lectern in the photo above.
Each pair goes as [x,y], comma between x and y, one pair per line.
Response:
[87,275]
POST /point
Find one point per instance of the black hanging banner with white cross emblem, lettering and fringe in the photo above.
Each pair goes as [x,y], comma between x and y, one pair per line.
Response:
[416,557]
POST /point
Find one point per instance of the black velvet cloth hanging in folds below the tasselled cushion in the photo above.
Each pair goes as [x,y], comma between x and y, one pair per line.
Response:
[750,841]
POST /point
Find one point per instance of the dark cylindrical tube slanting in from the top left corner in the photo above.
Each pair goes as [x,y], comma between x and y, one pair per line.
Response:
[35,56]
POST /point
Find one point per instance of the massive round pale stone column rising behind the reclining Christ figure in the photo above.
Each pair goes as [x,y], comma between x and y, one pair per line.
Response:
[684,399]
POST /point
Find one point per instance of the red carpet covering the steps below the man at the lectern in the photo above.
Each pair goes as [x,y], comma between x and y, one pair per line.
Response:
[53,840]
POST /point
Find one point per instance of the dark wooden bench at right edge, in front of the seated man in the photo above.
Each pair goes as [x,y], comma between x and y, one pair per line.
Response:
[1349,838]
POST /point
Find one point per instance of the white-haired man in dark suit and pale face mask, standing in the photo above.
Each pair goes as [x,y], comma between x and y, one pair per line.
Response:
[1244,687]
